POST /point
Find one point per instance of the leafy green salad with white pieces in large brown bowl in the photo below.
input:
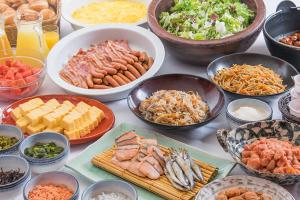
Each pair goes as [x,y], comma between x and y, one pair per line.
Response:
[206,19]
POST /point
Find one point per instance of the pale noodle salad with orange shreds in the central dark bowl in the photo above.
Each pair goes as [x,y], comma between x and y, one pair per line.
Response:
[174,107]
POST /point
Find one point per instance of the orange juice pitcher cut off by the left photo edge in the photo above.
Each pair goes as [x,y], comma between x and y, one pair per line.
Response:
[5,48]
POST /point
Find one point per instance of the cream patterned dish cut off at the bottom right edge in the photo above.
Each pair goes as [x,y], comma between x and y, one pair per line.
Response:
[210,191]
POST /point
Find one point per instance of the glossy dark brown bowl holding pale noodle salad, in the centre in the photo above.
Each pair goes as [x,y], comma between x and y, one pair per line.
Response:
[209,92]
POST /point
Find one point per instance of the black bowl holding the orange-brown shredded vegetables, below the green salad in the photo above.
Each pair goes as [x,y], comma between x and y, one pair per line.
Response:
[281,67]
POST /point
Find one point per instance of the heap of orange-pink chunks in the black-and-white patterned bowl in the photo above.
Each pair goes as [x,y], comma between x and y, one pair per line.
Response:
[272,156]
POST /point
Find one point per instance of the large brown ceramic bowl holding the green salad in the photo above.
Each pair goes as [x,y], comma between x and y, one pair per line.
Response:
[204,51]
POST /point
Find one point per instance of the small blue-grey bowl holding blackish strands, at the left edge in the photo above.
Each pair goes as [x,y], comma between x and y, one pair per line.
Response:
[12,162]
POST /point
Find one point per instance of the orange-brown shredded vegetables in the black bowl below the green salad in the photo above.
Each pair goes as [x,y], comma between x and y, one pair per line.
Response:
[249,80]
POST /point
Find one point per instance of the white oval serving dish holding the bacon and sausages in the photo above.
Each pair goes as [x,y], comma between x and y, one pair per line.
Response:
[138,38]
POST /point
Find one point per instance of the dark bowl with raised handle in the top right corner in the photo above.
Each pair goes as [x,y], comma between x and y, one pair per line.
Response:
[285,21]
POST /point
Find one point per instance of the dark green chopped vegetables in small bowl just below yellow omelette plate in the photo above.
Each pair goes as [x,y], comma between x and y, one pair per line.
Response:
[43,150]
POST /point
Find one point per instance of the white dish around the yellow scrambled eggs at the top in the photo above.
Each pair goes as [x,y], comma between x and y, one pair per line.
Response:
[71,5]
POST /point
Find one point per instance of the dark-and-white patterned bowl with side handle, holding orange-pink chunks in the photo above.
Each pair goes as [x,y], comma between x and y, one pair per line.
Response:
[234,141]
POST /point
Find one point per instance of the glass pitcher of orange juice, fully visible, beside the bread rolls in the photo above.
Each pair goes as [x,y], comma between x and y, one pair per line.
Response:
[30,40]
